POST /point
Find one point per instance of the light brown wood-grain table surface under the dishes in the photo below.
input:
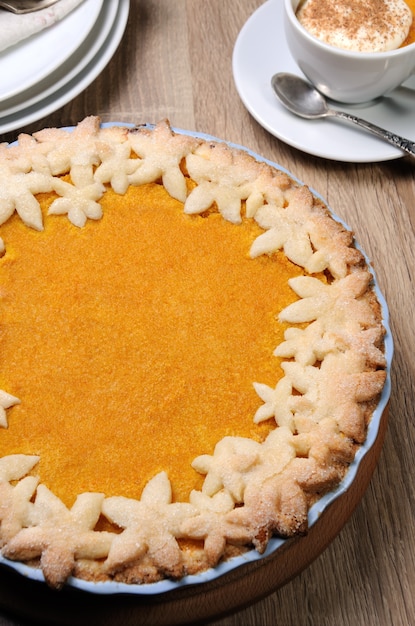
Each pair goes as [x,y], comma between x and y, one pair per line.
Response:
[174,61]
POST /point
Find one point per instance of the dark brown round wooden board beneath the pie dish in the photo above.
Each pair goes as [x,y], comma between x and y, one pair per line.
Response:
[27,599]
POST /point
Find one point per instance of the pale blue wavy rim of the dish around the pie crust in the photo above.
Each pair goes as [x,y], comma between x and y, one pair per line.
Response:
[315,511]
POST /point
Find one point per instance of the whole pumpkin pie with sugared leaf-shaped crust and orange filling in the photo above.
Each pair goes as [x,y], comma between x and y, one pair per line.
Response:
[191,352]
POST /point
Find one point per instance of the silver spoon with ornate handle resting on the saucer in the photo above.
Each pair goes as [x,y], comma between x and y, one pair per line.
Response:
[301,98]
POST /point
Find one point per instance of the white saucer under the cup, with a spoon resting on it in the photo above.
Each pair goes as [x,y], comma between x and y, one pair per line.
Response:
[261,51]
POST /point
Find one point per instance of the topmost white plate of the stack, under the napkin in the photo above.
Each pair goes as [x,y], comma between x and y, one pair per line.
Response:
[31,60]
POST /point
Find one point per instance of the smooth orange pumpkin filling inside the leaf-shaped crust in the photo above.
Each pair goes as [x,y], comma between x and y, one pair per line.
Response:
[133,343]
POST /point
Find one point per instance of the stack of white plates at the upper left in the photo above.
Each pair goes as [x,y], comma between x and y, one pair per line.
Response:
[44,72]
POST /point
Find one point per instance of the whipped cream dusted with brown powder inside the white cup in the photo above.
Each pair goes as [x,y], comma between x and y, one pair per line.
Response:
[357,25]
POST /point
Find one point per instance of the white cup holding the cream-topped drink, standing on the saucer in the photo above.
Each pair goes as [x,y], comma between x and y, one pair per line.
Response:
[343,75]
